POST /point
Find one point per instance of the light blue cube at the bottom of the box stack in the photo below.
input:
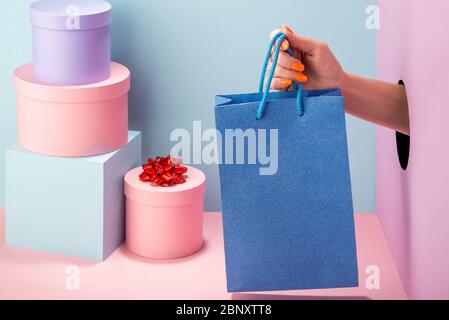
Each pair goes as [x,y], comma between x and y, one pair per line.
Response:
[70,206]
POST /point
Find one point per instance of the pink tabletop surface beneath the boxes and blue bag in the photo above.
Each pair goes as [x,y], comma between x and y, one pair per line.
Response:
[26,274]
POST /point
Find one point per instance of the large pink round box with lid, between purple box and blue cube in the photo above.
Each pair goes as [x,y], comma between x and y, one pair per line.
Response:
[72,121]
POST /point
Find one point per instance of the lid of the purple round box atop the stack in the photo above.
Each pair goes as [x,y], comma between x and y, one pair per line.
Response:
[71,14]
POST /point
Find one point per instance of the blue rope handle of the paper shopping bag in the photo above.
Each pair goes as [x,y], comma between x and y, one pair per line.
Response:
[297,87]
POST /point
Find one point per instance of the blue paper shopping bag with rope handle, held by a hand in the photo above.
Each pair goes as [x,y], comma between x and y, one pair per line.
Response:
[285,189]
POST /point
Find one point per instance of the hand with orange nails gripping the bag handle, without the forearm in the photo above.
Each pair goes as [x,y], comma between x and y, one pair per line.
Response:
[313,63]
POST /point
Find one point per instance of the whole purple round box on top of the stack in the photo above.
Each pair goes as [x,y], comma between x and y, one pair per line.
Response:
[71,41]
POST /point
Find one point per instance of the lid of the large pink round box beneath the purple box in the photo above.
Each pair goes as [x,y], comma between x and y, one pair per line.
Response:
[117,85]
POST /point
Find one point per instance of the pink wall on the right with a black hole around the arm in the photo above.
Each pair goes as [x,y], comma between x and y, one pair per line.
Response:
[413,45]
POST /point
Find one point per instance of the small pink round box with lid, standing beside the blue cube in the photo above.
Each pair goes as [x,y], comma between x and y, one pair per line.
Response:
[164,222]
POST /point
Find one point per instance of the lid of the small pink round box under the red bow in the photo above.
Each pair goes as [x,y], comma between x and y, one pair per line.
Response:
[147,194]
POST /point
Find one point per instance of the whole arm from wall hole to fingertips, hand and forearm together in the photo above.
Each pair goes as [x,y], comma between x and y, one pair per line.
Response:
[315,65]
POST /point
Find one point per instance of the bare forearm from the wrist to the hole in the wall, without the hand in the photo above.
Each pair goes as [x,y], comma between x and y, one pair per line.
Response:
[376,101]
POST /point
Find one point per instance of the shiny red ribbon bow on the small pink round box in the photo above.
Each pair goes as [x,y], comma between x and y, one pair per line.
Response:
[163,171]
